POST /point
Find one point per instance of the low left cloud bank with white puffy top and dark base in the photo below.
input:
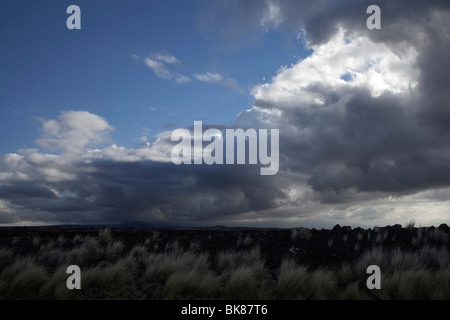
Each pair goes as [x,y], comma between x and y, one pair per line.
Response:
[116,184]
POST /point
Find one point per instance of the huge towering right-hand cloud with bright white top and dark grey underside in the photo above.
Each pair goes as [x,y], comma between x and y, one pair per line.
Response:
[357,113]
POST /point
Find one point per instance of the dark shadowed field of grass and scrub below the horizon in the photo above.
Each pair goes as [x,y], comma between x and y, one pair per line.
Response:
[234,264]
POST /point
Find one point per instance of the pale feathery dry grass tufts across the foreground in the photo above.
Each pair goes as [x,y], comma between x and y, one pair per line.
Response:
[112,271]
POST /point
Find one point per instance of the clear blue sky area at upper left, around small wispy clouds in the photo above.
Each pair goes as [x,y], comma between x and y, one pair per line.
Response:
[47,68]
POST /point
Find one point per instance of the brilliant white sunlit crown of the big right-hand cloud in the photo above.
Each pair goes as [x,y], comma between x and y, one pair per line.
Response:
[340,64]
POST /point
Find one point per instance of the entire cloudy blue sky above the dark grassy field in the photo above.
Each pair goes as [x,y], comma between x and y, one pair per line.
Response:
[86,115]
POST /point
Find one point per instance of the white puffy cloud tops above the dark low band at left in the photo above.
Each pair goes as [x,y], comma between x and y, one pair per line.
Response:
[73,133]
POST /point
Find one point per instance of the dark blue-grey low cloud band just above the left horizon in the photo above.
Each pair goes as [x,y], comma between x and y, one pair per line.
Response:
[147,191]
